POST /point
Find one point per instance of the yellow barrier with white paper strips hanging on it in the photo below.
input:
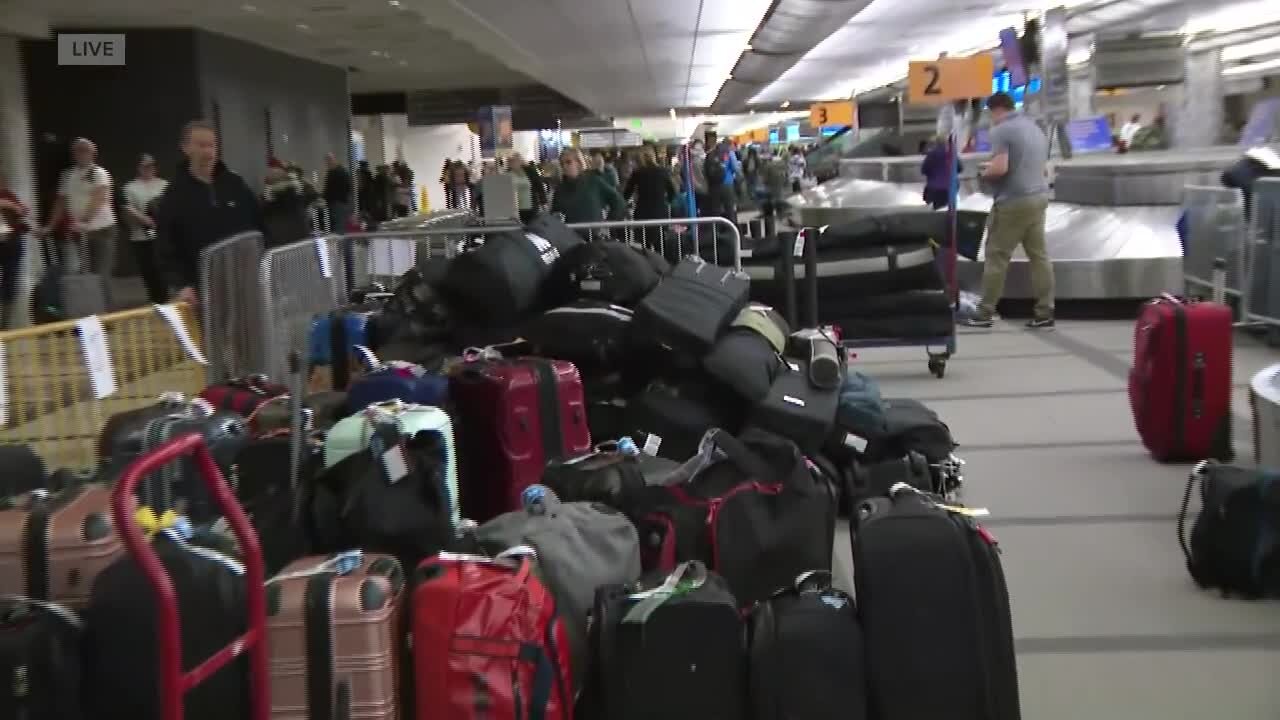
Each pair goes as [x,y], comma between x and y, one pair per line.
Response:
[51,399]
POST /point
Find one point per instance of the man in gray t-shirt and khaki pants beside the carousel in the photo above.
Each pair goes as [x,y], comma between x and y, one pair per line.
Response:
[1021,189]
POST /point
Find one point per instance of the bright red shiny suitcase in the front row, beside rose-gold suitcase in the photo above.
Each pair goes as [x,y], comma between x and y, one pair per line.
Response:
[488,641]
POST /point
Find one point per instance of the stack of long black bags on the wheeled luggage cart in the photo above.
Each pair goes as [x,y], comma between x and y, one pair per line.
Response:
[879,277]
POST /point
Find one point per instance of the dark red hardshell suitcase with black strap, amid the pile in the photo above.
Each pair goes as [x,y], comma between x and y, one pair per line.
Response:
[513,418]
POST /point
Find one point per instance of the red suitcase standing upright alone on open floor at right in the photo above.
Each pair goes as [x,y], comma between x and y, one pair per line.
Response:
[1181,382]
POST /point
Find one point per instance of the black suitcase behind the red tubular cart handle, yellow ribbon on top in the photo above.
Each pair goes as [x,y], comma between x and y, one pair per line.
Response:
[121,658]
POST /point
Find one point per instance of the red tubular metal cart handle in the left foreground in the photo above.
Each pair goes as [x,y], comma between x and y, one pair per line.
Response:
[173,682]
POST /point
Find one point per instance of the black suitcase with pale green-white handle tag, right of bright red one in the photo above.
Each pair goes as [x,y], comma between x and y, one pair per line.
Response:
[676,657]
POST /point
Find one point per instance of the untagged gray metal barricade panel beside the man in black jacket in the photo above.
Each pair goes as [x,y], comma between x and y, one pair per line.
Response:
[230,315]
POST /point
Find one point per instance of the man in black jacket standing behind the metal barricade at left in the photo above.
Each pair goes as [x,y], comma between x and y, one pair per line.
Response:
[204,204]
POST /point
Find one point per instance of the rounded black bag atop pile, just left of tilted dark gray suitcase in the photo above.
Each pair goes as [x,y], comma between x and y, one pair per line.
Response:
[605,271]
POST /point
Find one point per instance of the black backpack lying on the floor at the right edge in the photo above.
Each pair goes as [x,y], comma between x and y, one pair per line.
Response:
[1235,543]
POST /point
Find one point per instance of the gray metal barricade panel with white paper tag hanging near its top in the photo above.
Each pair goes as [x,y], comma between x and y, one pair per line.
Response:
[296,282]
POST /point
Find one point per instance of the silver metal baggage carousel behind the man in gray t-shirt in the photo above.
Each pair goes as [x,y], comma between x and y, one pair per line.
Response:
[1110,229]
